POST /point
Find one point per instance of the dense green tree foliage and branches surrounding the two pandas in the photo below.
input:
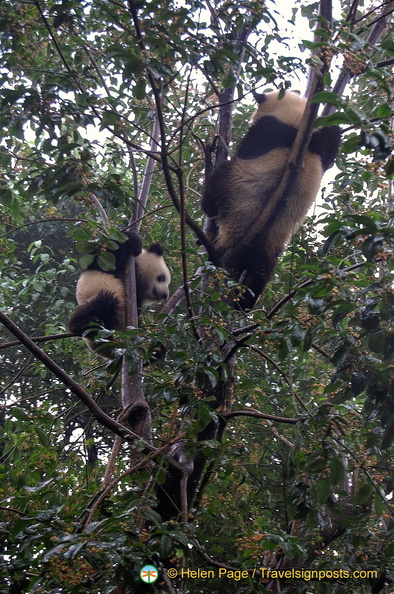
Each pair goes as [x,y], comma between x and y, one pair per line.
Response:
[281,421]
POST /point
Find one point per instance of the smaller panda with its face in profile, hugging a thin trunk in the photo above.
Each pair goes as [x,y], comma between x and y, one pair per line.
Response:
[101,295]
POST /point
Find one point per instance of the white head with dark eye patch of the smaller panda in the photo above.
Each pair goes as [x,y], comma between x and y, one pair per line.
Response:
[153,278]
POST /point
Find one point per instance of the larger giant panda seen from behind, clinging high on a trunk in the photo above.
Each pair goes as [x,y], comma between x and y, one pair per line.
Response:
[239,190]
